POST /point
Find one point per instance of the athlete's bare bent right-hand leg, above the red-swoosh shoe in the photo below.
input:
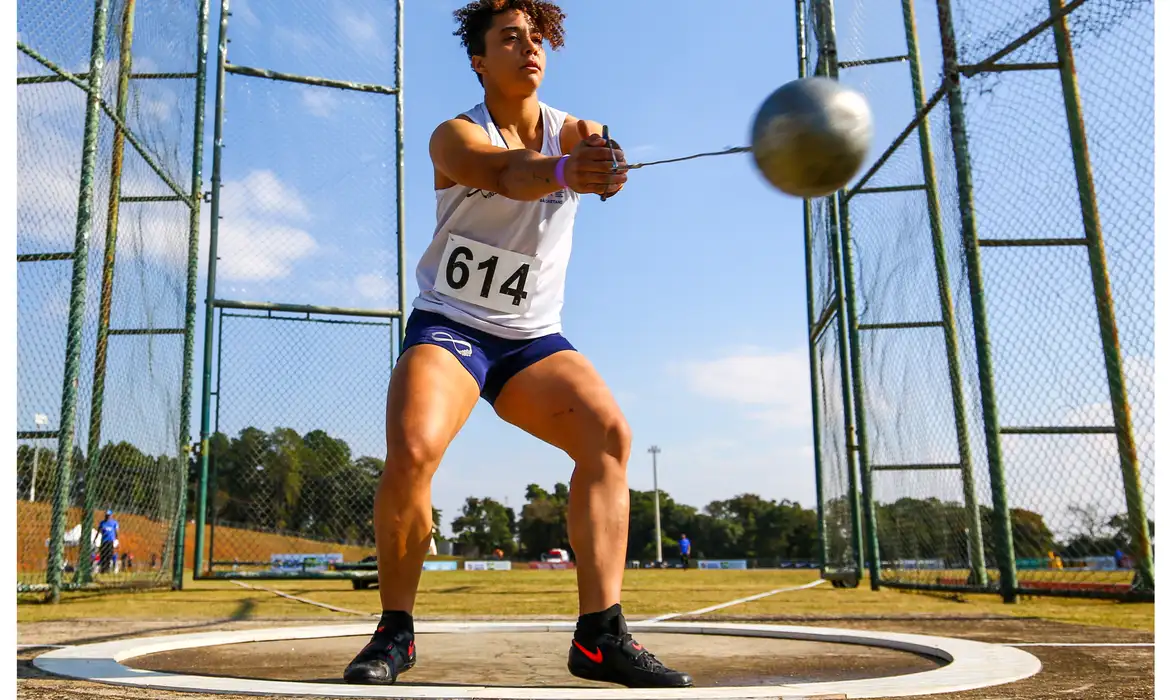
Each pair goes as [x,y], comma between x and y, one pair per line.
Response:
[565,402]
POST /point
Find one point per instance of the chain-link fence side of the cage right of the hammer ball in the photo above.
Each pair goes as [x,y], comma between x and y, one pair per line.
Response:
[997,259]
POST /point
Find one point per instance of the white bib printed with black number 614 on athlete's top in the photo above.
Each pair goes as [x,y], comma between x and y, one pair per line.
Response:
[487,277]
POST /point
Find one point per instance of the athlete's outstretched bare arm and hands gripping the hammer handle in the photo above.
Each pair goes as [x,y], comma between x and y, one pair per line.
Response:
[463,152]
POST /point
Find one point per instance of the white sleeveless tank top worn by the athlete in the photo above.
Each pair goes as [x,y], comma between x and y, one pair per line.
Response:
[497,264]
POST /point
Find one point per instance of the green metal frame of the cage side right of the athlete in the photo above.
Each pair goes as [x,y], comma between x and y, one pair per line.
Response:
[844,306]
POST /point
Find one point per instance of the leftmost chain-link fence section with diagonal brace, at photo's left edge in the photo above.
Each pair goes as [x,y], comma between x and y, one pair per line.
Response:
[108,111]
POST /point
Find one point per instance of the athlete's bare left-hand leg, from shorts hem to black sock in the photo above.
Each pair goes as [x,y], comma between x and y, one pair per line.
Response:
[430,400]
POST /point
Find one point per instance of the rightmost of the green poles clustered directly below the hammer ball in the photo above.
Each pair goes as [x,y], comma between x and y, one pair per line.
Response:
[859,399]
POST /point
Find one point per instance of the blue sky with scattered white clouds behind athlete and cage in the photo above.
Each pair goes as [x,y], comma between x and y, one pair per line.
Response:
[687,291]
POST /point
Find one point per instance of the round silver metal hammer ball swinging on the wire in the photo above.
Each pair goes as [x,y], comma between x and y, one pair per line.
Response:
[811,136]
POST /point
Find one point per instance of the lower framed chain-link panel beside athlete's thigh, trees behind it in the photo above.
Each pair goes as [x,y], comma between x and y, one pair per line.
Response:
[300,481]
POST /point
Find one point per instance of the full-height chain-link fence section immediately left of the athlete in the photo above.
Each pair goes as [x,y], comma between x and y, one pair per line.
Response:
[305,286]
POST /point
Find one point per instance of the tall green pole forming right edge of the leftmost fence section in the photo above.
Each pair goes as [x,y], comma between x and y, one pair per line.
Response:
[189,339]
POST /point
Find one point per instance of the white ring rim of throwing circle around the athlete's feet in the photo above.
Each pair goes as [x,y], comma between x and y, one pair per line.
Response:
[968,664]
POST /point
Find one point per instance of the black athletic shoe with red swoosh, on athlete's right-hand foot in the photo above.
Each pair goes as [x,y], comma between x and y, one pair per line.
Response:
[620,660]
